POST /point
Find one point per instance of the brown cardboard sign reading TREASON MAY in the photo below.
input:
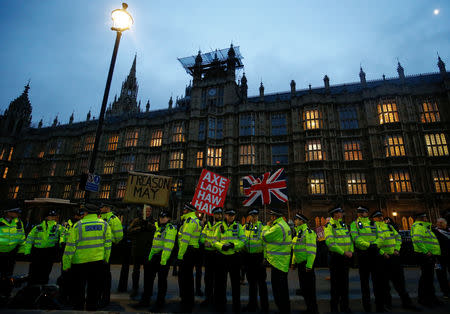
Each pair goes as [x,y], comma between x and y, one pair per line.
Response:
[144,188]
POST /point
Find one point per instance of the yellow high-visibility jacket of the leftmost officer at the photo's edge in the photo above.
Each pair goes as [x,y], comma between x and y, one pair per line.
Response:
[12,234]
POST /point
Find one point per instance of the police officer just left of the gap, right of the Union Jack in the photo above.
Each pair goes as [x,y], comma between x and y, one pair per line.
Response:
[305,248]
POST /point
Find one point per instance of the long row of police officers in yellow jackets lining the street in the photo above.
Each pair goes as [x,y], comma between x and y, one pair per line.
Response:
[224,247]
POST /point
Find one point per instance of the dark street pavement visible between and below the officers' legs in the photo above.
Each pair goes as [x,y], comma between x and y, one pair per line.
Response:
[120,302]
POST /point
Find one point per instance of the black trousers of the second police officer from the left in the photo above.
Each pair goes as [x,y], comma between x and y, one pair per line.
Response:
[41,265]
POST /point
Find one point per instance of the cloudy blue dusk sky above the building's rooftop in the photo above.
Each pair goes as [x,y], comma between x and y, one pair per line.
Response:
[65,47]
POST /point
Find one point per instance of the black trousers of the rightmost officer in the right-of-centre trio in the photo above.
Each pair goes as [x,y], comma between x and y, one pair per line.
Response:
[394,273]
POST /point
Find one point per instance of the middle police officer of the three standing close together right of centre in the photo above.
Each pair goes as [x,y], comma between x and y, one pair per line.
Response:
[364,234]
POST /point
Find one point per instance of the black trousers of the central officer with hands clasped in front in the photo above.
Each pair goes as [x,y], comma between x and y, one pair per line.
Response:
[228,264]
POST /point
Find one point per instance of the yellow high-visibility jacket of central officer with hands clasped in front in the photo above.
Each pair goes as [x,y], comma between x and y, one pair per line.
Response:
[233,233]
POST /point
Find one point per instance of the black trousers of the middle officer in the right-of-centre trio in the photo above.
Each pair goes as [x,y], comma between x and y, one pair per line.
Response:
[370,267]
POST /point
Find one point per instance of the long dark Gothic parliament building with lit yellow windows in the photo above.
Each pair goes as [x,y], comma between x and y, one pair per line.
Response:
[380,143]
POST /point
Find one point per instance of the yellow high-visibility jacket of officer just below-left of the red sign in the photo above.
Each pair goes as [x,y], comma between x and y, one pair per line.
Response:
[189,233]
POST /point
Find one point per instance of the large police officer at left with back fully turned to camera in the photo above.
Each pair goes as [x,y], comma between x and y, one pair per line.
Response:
[88,249]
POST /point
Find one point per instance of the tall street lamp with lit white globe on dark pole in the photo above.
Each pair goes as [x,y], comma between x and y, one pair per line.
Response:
[122,21]
